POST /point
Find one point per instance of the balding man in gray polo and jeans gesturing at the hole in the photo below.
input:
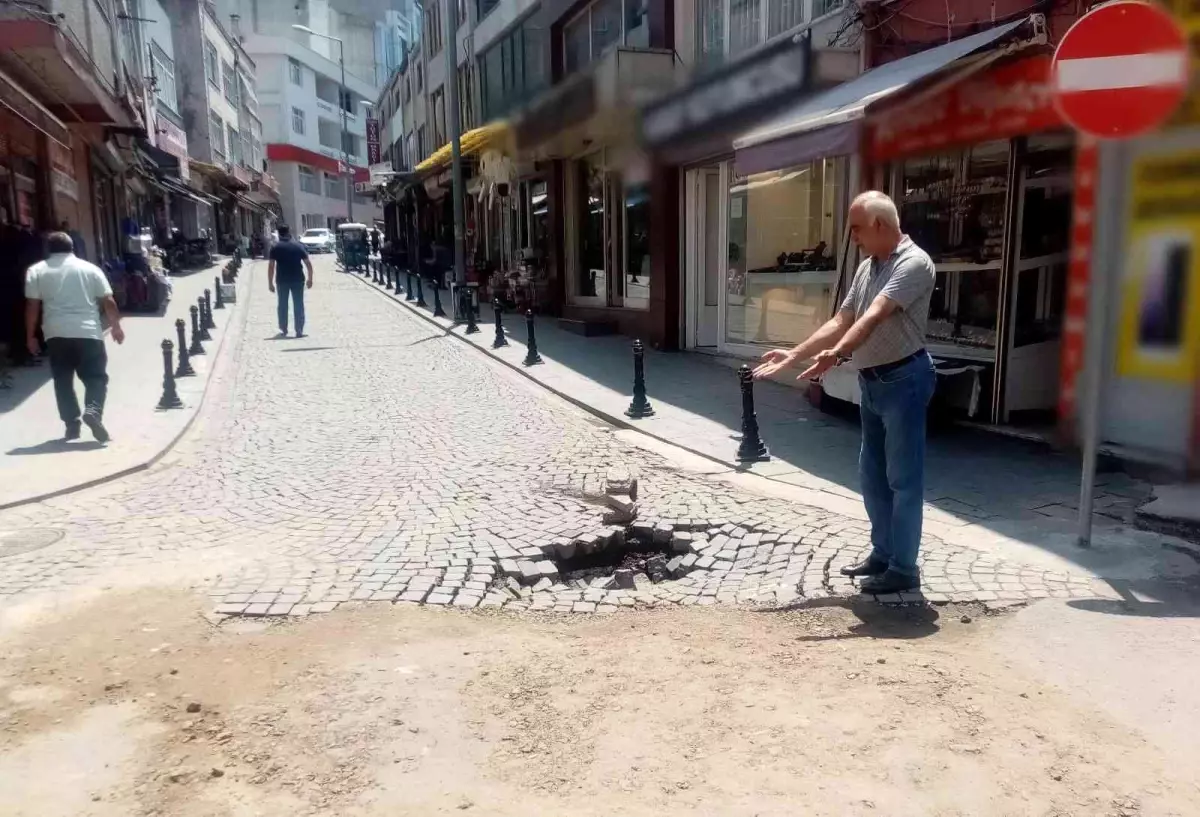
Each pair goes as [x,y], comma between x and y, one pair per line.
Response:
[881,327]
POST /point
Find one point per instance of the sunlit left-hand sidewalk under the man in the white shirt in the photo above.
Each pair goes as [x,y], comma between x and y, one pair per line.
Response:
[35,462]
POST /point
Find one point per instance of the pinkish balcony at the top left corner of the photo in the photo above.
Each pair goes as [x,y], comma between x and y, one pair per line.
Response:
[67,52]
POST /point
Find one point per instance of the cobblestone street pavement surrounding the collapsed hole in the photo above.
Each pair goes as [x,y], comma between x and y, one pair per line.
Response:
[377,460]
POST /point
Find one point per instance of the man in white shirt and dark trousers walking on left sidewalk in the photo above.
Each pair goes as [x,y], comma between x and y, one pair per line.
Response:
[70,295]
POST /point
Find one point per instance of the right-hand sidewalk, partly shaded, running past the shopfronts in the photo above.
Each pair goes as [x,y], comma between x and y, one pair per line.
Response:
[993,494]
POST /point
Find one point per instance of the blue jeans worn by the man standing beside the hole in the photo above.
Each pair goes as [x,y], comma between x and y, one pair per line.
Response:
[892,461]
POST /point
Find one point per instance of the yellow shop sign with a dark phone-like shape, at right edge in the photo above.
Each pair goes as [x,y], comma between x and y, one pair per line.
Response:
[1159,334]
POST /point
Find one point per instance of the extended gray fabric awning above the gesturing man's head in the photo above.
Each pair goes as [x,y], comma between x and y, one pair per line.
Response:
[827,124]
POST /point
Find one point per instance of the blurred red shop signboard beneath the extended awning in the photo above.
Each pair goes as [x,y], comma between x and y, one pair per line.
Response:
[1012,99]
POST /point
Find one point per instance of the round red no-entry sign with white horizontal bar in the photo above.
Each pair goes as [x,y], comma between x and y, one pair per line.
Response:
[1121,70]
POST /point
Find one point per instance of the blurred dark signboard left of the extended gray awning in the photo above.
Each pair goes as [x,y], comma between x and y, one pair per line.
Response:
[737,94]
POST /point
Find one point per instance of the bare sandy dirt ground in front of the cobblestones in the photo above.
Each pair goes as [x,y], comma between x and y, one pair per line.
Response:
[137,705]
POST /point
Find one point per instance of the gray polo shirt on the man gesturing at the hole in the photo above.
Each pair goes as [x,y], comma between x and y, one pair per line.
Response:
[907,278]
